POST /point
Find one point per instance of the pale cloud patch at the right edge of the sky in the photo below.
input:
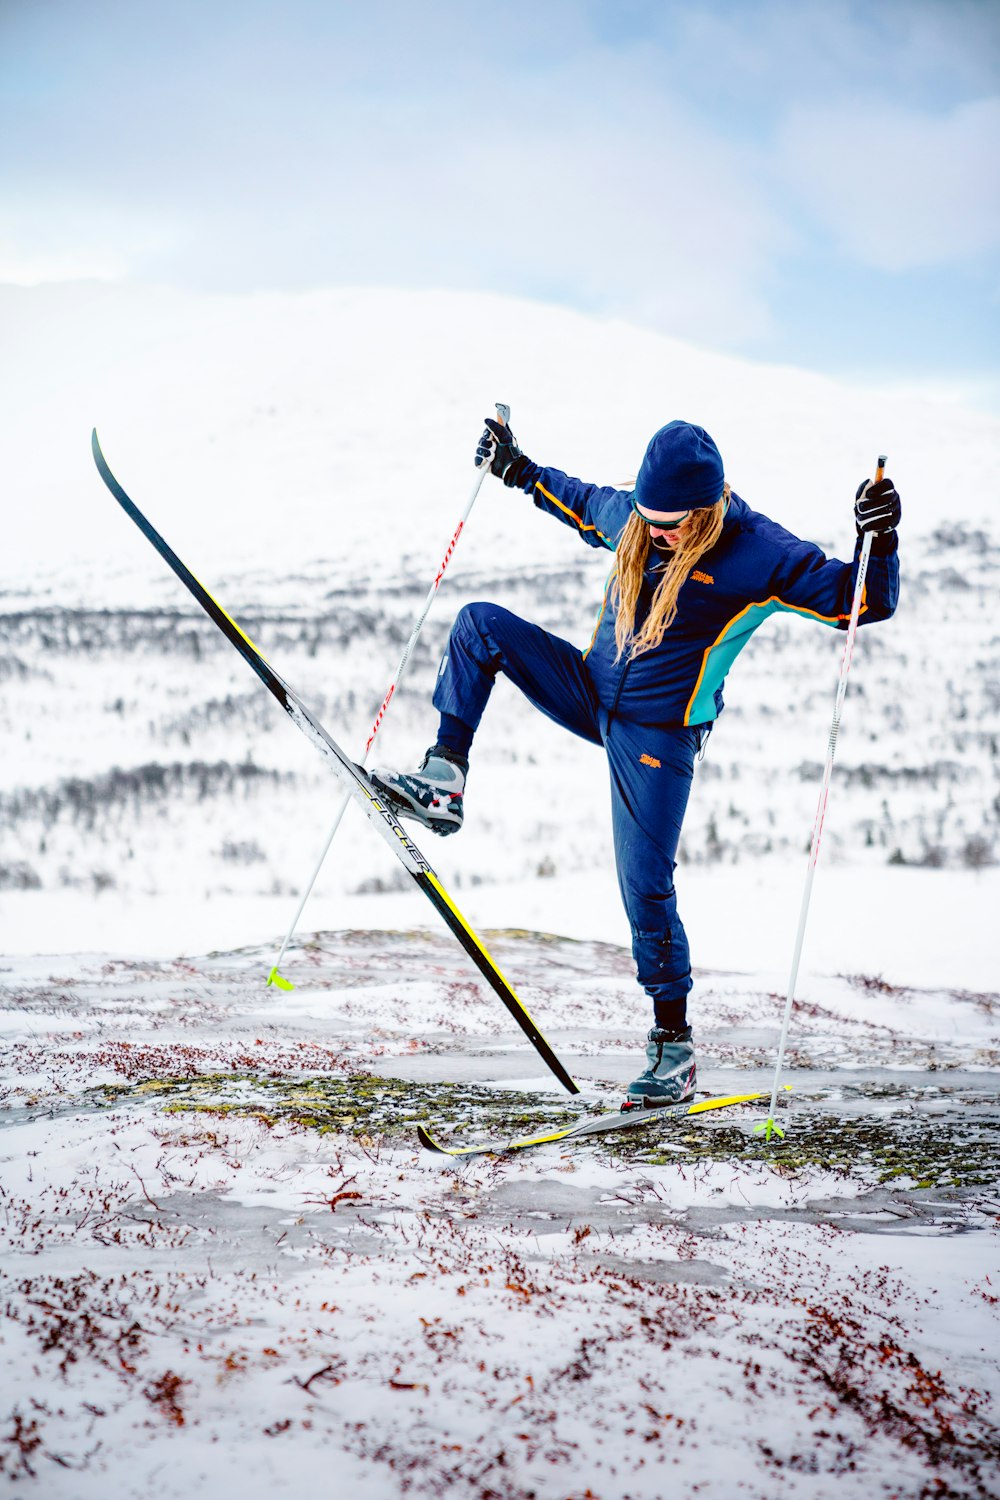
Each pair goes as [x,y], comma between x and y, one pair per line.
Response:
[899,190]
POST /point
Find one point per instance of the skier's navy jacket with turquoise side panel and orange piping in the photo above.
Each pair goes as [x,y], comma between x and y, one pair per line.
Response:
[755,571]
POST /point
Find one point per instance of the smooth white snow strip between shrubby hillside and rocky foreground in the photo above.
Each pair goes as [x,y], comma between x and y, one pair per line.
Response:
[744,925]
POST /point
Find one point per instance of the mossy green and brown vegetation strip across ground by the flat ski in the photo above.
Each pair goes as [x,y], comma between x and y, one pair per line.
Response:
[932,1148]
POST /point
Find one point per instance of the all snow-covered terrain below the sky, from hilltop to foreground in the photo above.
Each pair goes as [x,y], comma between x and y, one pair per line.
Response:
[221,1246]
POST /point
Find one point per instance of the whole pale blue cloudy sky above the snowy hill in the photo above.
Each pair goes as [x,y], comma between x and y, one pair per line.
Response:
[803,182]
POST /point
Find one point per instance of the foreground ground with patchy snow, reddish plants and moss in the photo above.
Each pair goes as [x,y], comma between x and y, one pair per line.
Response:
[223,1246]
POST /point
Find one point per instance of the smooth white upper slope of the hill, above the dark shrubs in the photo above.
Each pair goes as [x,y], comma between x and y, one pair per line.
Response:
[281,430]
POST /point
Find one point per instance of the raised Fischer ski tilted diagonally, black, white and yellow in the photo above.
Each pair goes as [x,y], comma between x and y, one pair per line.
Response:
[377,809]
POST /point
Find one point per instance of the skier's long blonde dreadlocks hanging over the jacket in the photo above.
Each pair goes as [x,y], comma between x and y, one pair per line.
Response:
[698,535]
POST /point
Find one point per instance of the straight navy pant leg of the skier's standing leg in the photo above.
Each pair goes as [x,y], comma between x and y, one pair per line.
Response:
[651,779]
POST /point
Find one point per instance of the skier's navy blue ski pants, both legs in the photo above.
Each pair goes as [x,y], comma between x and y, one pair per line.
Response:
[651,769]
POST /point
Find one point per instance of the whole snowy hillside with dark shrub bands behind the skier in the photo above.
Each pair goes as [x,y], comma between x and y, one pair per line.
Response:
[310,458]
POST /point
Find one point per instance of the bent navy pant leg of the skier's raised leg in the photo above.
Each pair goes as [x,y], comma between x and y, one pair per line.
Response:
[487,641]
